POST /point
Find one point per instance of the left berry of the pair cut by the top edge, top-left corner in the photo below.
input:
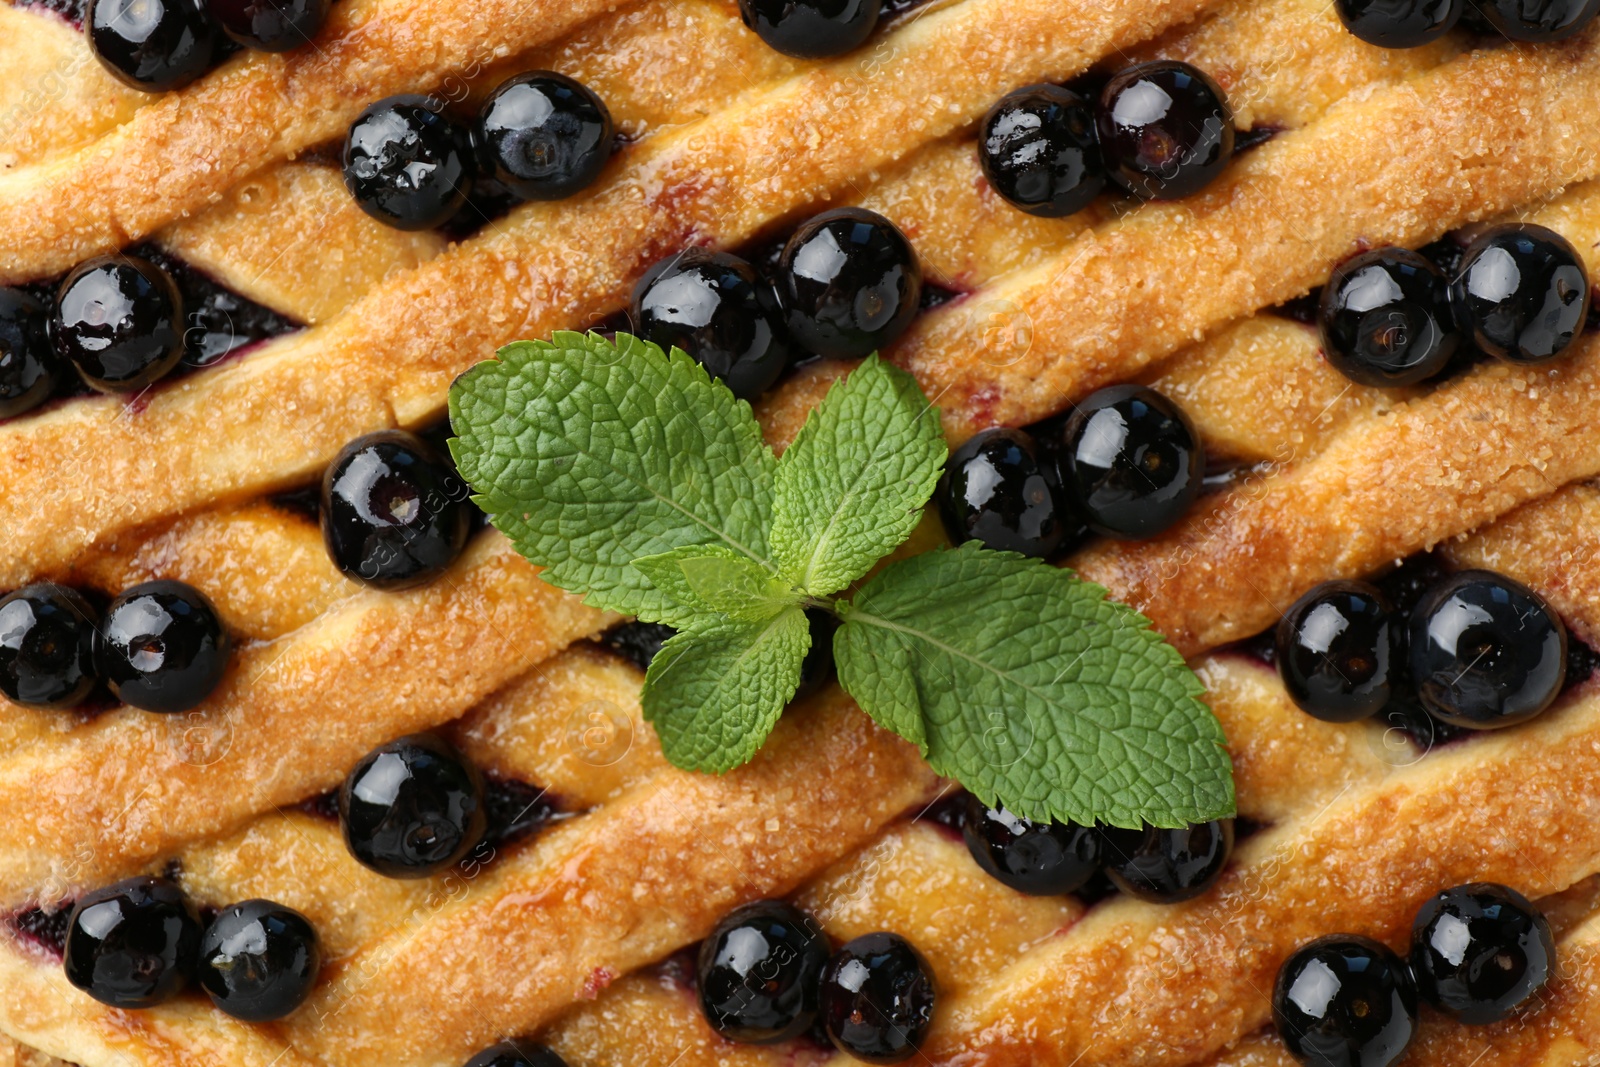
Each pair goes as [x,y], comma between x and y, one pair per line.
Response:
[153,46]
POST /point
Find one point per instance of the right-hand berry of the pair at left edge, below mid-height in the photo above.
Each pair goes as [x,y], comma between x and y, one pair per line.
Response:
[162,647]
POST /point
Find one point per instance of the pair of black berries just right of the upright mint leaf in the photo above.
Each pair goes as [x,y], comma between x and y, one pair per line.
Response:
[1124,463]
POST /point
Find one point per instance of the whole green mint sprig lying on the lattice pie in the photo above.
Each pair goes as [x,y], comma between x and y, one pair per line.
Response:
[642,484]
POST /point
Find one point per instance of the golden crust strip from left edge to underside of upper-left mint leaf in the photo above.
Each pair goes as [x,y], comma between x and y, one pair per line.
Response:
[287,722]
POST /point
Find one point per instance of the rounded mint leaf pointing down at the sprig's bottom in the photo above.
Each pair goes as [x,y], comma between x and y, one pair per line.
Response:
[716,693]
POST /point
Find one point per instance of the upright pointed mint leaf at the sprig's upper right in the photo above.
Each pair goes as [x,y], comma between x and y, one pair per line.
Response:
[852,487]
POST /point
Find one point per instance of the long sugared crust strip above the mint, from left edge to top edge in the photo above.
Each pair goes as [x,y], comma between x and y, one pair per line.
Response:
[393,356]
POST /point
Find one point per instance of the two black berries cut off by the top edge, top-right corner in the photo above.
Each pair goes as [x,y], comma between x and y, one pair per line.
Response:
[1415,23]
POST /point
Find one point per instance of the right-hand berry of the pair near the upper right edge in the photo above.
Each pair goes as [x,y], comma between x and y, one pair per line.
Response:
[1522,294]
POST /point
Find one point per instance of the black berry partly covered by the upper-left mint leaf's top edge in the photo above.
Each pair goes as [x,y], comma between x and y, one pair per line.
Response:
[718,310]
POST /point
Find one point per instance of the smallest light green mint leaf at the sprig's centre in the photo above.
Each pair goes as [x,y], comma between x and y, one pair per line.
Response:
[716,580]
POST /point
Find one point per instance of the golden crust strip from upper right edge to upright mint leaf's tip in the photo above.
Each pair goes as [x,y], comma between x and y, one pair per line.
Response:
[1127,294]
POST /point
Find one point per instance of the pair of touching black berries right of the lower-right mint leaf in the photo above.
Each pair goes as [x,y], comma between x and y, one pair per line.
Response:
[1479,652]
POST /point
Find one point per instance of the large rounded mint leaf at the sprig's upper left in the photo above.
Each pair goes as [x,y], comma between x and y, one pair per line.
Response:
[591,455]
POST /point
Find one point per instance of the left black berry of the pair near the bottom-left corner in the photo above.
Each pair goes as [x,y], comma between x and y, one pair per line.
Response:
[134,945]
